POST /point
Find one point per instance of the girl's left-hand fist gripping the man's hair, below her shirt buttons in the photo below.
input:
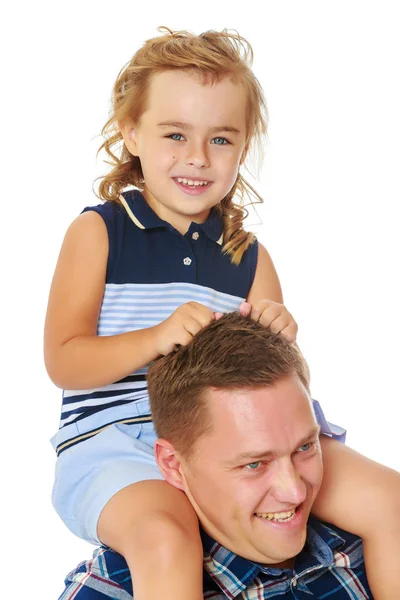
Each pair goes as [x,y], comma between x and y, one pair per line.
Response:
[179,328]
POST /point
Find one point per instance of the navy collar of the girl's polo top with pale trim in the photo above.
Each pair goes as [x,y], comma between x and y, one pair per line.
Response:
[145,218]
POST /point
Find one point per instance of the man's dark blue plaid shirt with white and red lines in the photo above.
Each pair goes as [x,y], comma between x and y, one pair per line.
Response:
[331,565]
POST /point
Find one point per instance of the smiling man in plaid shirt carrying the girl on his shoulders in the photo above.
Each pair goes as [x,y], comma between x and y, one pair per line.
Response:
[238,435]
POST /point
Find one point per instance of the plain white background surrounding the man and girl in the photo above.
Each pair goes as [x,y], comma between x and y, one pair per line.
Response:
[330,71]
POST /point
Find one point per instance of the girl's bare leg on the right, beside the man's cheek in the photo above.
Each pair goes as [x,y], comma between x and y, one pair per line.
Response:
[363,497]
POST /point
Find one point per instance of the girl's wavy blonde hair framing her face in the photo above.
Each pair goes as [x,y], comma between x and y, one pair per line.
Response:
[212,56]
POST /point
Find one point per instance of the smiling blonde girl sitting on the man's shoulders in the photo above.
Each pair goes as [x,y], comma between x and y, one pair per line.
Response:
[144,272]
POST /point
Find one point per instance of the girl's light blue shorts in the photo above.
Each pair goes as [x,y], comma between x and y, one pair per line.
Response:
[91,472]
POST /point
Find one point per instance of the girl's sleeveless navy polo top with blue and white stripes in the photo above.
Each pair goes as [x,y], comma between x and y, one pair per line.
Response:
[152,269]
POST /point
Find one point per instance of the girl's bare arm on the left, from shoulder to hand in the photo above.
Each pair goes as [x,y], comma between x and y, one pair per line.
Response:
[75,356]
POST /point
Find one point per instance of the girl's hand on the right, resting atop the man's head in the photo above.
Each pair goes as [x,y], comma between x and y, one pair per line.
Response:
[273,315]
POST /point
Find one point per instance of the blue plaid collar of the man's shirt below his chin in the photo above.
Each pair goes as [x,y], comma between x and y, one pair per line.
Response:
[233,574]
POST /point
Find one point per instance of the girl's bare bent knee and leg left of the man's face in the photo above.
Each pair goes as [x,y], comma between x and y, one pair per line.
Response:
[153,525]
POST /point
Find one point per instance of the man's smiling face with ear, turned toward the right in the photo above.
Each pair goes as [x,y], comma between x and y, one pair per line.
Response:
[252,480]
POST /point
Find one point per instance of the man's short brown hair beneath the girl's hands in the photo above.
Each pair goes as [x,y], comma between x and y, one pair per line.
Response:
[234,352]
